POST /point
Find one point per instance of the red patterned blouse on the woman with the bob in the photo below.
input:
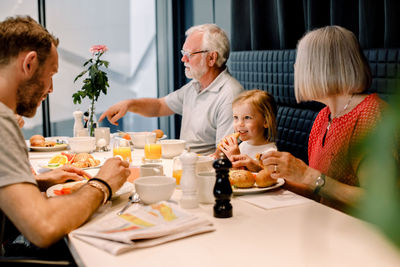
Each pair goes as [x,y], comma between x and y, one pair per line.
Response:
[334,156]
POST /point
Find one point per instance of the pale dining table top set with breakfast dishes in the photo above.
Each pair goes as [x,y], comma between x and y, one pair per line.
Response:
[269,228]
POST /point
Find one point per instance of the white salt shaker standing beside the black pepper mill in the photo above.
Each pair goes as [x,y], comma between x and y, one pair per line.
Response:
[189,198]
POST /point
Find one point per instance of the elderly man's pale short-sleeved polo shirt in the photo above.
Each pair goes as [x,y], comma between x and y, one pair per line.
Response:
[206,115]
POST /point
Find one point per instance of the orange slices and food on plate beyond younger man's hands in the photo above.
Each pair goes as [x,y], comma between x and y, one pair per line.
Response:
[81,160]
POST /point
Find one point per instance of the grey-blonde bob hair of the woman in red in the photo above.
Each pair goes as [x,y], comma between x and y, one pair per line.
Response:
[330,62]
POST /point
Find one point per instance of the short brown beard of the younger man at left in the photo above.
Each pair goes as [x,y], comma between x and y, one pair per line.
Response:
[29,95]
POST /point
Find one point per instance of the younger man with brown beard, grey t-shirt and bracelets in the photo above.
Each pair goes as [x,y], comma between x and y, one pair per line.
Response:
[28,61]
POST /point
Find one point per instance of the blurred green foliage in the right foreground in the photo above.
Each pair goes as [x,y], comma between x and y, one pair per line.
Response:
[381,203]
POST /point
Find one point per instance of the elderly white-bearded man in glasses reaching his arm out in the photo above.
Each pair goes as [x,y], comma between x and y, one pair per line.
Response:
[205,103]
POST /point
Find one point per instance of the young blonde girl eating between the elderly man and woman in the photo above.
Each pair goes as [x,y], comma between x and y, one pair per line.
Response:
[254,119]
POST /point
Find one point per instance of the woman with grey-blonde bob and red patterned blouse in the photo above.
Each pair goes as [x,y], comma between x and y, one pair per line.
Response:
[331,68]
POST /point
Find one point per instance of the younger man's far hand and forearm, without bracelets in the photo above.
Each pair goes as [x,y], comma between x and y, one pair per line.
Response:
[61,175]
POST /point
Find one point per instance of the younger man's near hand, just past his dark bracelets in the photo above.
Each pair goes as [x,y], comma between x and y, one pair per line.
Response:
[115,172]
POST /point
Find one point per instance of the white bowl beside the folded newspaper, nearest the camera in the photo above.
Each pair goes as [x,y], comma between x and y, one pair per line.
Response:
[152,189]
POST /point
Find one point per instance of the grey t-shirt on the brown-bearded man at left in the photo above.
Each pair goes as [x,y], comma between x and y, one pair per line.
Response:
[14,160]
